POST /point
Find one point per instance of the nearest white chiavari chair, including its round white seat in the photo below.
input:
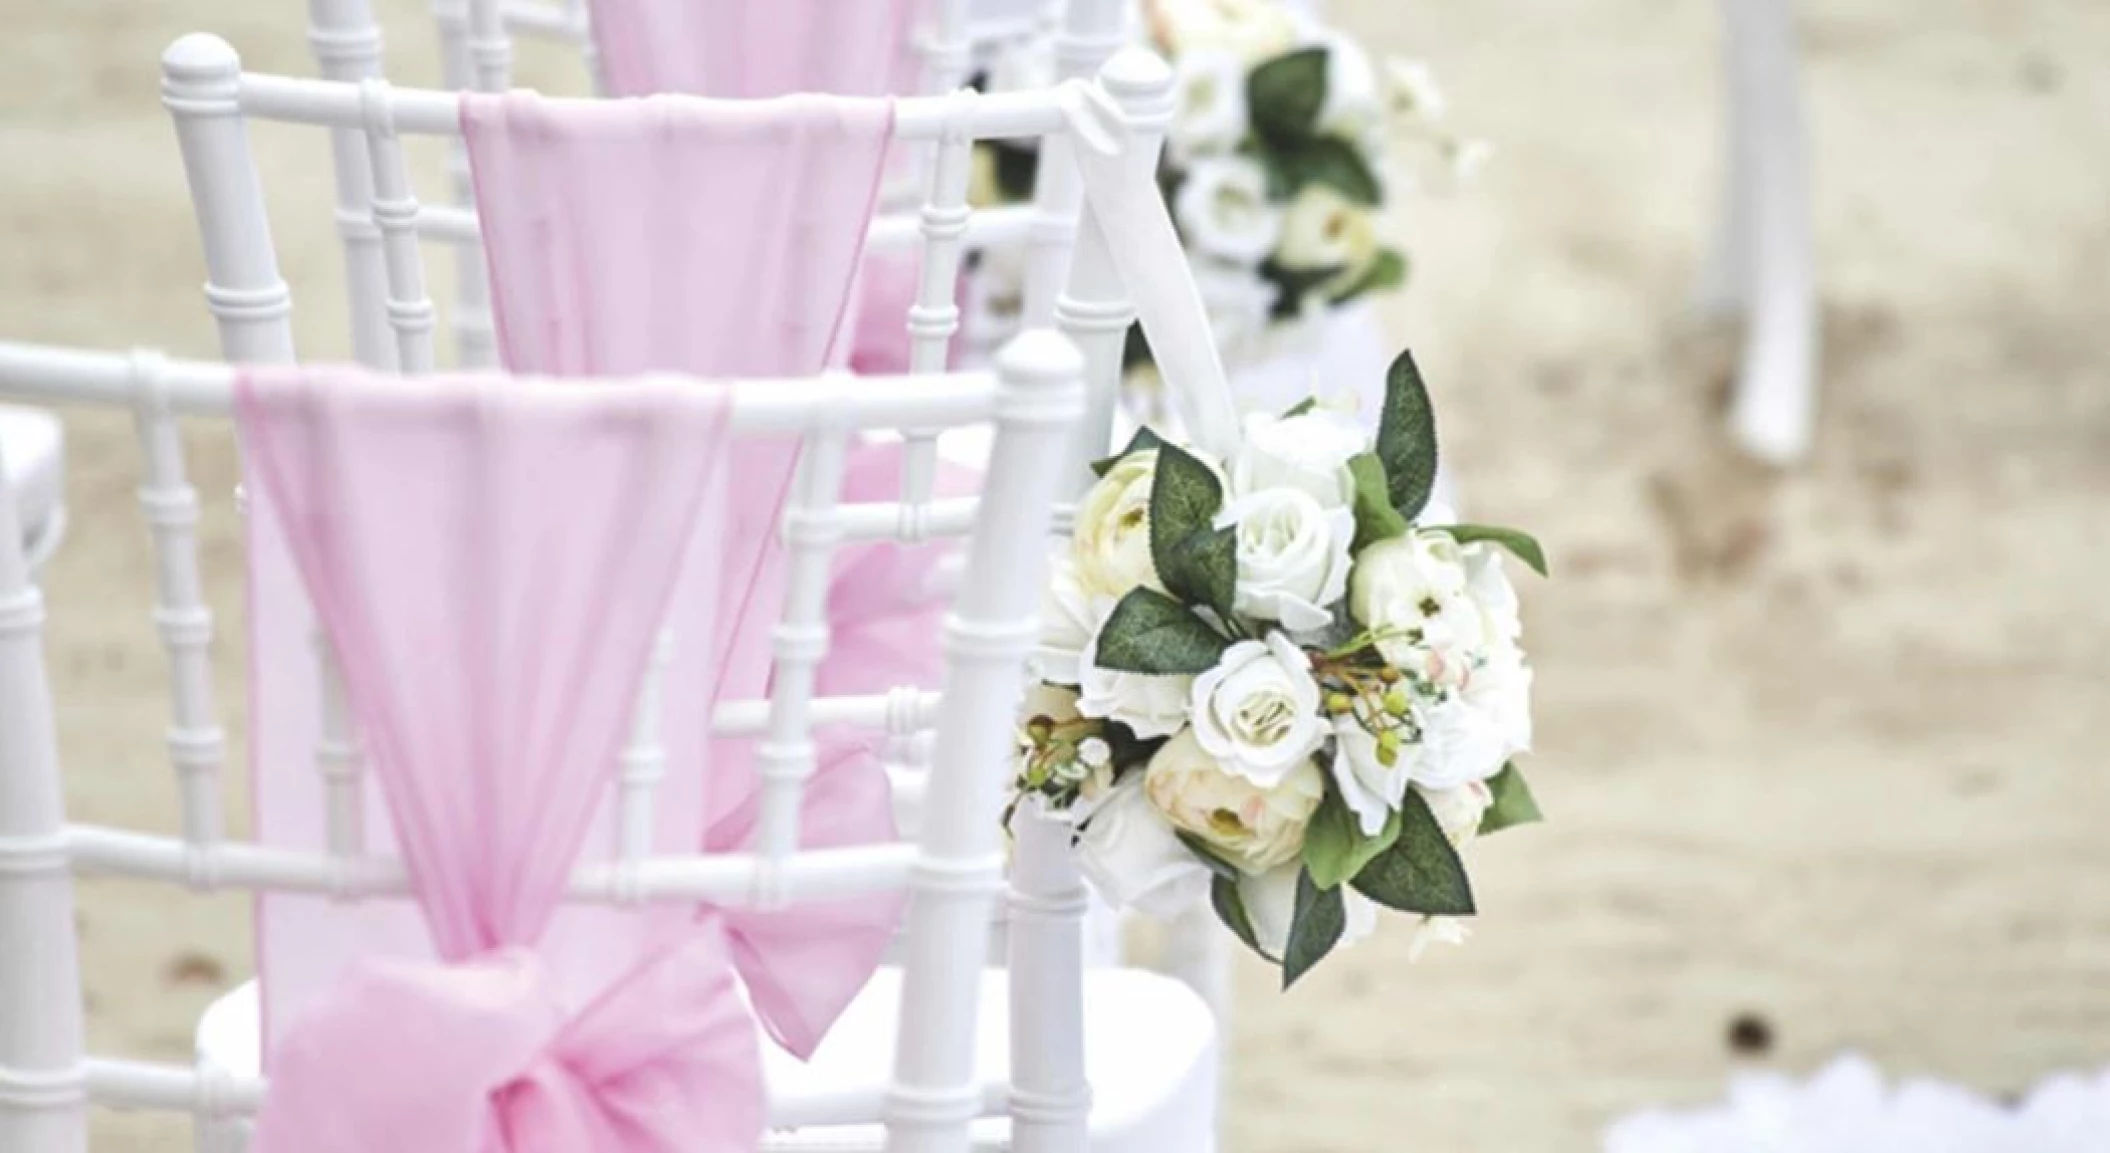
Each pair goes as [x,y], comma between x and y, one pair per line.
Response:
[997,1055]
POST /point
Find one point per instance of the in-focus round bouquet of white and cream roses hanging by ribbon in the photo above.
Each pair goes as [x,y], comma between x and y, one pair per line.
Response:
[1284,681]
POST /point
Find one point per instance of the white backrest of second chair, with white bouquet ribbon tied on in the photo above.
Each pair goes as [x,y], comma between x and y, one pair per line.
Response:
[1079,280]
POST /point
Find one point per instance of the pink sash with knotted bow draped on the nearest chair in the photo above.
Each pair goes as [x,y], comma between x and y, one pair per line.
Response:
[493,618]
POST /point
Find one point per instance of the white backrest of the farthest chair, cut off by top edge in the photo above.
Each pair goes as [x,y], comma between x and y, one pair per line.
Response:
[478,56]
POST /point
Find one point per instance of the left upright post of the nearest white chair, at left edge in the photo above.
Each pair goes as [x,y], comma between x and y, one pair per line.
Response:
[43,1103]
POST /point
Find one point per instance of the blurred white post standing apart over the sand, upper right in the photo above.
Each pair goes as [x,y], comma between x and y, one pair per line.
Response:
[1765,254]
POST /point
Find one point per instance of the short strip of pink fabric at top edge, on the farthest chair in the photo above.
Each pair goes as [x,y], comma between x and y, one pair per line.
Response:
[750,50]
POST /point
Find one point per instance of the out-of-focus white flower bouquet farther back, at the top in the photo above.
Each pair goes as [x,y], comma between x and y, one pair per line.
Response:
[1275,168]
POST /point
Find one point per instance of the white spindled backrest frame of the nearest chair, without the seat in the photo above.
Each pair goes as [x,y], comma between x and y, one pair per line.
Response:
[953,871]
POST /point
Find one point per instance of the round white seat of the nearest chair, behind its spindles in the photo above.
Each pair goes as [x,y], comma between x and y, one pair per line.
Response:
[1149,1051]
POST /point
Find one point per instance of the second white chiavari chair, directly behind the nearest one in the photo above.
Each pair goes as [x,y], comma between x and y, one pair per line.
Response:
[1119,117]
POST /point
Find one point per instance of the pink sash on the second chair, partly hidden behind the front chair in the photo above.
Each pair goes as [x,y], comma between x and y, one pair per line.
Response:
[596,214]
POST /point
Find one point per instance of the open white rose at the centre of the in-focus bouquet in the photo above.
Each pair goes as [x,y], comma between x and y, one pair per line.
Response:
[1257,713]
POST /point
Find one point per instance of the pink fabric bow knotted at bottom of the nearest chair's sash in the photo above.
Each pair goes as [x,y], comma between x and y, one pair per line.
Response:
[482,1057]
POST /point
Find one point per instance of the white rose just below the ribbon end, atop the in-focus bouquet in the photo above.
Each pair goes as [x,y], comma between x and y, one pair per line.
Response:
[1292,556]
